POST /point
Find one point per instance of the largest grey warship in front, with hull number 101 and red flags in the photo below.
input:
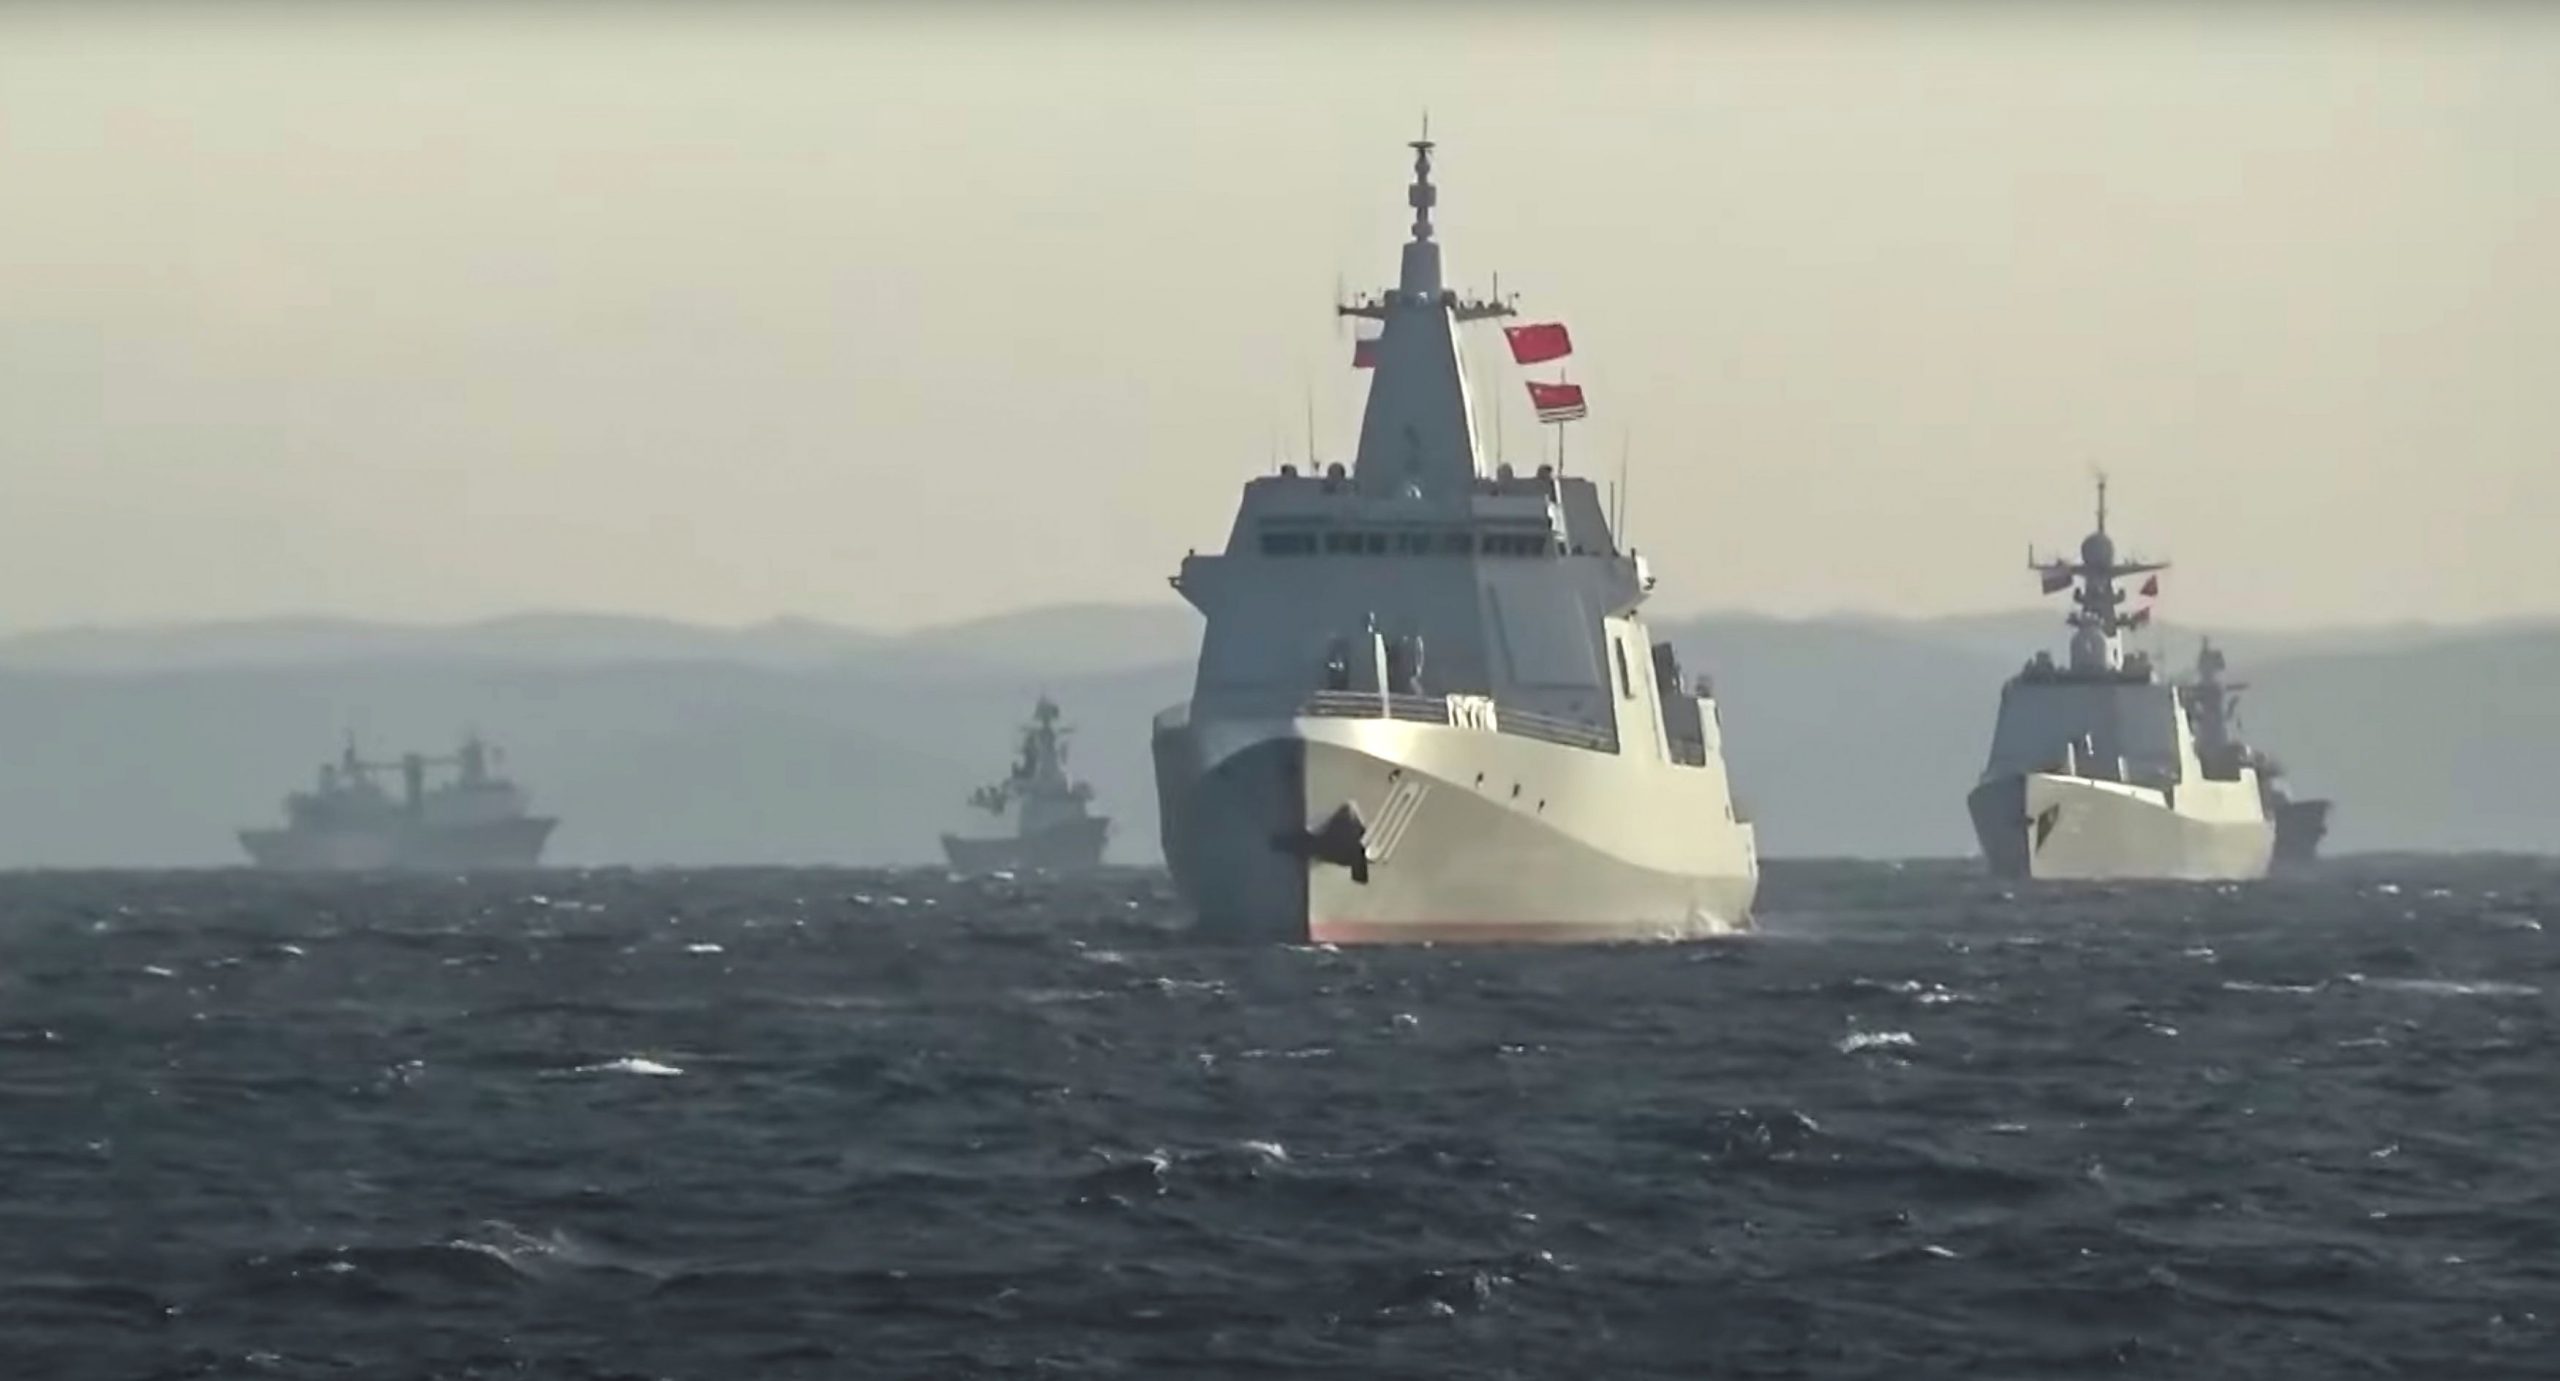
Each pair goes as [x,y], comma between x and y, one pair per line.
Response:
[1545,775]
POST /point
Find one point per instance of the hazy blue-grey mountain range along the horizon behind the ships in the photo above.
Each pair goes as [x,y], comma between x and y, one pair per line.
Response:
[808,744]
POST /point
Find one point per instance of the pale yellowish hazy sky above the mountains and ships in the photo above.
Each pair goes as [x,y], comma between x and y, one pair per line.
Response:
[892,319]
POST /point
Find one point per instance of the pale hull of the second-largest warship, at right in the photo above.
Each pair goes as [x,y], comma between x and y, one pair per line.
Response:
[2072,829]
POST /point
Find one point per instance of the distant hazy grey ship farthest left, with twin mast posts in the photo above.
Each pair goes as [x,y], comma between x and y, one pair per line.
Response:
[349,824]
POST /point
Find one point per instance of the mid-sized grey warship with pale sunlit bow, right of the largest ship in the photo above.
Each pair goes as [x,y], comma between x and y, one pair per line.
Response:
[2095,767]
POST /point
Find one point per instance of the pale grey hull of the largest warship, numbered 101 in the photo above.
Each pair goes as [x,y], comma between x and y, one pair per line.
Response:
[1463,837]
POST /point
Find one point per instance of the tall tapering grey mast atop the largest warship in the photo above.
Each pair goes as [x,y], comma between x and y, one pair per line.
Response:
[1417,434]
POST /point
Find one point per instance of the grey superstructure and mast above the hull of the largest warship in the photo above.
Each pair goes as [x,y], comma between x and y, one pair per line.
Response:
[1420,570]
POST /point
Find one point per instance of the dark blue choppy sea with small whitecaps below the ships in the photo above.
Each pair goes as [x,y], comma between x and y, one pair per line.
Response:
[831,1124]
